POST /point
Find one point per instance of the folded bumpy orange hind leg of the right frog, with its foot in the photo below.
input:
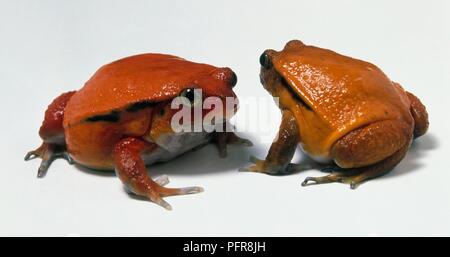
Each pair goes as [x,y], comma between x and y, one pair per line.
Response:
[367,153]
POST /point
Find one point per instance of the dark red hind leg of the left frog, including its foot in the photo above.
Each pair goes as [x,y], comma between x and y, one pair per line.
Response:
[52,134]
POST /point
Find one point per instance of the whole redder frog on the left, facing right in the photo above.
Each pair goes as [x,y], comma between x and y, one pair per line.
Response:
[121,120]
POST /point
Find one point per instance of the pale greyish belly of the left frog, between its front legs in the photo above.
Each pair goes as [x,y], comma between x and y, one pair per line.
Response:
[173,145]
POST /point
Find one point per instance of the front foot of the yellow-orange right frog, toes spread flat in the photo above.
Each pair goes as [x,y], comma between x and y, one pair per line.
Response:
[272,168]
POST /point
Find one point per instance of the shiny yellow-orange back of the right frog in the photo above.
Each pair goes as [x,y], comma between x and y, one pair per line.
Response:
[343,91]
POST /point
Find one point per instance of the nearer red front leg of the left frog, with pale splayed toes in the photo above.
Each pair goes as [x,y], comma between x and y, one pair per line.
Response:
[130,168]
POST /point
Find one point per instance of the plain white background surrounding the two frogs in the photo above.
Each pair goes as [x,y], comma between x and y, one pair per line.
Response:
[48,47]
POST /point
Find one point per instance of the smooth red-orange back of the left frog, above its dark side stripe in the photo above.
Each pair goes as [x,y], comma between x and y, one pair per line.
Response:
[134,79]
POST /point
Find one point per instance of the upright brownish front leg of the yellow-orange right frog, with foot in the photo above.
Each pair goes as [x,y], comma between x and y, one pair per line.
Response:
[281,151]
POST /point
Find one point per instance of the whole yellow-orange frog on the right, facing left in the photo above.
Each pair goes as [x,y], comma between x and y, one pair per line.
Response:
[340,110]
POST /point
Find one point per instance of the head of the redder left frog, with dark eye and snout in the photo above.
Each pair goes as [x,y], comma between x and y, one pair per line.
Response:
[205,100]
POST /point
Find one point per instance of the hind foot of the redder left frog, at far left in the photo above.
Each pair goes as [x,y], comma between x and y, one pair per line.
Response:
[48,153]
